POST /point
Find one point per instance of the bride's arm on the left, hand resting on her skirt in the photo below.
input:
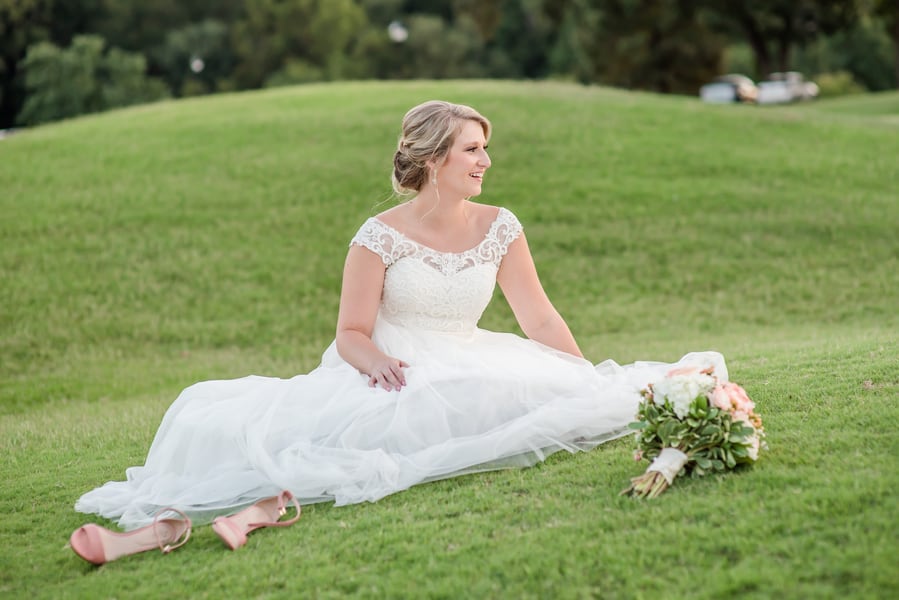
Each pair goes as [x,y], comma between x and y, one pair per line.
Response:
[360,296]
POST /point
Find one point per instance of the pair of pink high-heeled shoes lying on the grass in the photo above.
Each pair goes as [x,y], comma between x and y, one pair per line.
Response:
[99,545]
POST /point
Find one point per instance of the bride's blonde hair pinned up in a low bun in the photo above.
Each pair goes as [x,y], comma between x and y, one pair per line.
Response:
[429,131]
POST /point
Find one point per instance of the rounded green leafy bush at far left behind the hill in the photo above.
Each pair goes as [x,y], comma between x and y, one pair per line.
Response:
[82,78]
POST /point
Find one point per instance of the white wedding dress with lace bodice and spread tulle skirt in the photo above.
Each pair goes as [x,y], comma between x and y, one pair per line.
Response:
[475,400]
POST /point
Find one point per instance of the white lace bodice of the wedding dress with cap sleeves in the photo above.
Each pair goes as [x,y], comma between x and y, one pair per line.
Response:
[444,291]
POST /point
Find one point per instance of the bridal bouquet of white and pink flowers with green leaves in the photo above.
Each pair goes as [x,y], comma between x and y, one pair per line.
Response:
[690,422]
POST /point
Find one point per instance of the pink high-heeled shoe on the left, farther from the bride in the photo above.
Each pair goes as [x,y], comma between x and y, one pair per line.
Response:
[99,545]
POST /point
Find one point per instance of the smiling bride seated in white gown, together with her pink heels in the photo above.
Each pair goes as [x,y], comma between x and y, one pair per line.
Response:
[410,391]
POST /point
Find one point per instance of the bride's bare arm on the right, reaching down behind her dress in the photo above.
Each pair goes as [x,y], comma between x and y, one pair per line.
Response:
[536,315]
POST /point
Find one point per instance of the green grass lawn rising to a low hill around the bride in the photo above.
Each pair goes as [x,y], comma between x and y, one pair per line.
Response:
[146,249]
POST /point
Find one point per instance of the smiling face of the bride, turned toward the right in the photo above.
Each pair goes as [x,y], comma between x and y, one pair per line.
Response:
[462,173]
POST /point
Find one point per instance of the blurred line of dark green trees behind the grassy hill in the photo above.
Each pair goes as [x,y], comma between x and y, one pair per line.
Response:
[61,58]
